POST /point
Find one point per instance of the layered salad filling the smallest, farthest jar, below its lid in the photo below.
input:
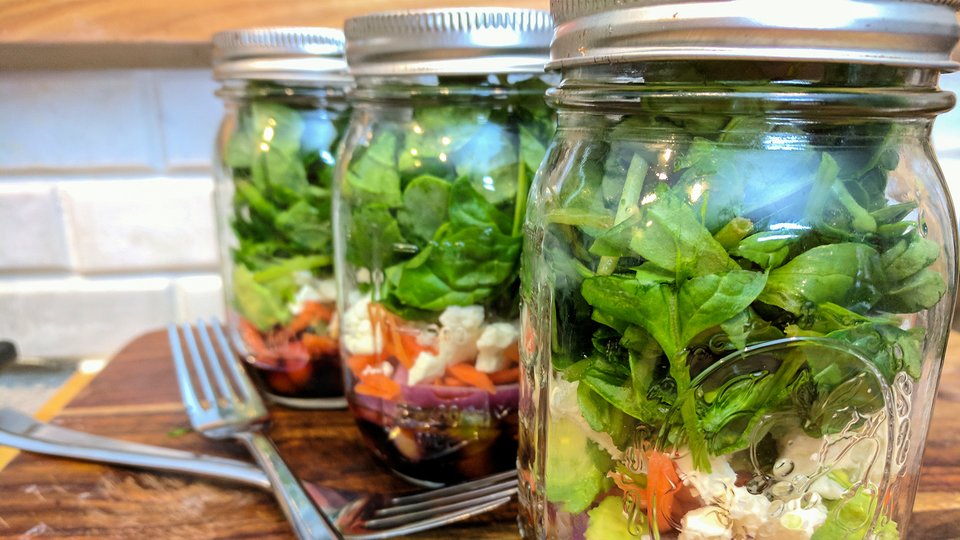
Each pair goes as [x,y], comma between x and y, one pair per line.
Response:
[280,157]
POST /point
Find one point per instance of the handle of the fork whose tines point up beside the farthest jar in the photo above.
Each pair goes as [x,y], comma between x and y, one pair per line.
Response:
[307,521]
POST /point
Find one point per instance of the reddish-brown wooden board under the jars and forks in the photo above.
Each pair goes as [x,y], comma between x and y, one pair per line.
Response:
[135,398]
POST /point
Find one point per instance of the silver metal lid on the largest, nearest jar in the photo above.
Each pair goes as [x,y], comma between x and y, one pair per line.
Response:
[918,33]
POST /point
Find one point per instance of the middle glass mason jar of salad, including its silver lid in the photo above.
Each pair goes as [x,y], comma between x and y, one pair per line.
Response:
[447,132]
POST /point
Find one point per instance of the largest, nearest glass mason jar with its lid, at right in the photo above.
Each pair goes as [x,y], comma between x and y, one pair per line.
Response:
[738,275]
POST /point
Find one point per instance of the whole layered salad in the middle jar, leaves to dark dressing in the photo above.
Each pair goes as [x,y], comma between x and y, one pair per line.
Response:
[431,210]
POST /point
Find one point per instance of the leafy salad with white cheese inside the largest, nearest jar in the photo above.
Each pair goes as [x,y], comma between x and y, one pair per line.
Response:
[719,298]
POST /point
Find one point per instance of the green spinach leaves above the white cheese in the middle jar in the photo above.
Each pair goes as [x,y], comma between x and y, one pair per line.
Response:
[437,203]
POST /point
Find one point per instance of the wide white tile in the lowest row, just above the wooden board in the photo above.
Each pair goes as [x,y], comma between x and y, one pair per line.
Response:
[81,317]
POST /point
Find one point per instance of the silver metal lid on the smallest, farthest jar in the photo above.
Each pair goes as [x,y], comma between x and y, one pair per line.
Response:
[309,54]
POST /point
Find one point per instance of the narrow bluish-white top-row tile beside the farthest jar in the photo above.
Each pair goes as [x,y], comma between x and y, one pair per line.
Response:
[189,115]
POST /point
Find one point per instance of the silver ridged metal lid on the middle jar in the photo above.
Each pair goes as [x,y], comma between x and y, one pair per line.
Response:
[465,41]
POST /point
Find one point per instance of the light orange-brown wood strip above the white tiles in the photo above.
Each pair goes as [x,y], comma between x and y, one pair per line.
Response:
[187,21]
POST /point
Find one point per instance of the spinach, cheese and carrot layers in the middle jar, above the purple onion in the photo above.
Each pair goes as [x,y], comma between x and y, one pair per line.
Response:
[434,209]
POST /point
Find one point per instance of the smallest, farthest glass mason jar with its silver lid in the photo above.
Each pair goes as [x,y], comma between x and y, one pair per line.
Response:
[284,92]
